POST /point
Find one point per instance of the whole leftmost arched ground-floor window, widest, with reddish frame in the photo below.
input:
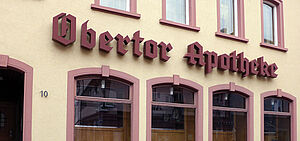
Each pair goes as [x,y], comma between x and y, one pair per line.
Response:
[105,106]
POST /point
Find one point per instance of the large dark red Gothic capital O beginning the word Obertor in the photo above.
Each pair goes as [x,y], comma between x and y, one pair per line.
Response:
[68,29]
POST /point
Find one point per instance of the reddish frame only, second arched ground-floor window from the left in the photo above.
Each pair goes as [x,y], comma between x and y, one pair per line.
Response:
[198,102]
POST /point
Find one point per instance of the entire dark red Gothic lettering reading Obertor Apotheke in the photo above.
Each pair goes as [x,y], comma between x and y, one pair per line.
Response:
[64,32]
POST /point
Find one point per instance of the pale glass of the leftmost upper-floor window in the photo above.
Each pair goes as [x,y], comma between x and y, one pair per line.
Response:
[118,4]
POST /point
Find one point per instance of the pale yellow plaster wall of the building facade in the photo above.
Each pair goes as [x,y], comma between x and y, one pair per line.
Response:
[26,30]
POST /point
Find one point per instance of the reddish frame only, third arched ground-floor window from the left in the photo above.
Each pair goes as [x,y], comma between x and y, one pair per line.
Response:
[249,103]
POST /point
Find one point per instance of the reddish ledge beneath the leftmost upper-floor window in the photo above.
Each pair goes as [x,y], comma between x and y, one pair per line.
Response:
[115,11]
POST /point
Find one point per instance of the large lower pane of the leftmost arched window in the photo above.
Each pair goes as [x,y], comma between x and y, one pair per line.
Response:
[100,121]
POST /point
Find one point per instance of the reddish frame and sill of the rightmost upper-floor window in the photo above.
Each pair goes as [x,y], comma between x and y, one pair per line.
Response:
[280,26]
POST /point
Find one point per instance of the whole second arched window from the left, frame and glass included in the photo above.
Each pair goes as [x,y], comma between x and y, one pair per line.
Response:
[174,110]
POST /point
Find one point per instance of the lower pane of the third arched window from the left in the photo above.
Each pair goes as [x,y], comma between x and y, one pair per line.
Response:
[229,126]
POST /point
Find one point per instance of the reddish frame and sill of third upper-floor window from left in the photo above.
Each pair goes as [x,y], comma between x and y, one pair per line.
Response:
[240,26]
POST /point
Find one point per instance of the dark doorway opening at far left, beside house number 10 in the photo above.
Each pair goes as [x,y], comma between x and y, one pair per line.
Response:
[11,105]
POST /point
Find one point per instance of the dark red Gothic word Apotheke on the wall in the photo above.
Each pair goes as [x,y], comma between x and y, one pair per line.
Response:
[232,62]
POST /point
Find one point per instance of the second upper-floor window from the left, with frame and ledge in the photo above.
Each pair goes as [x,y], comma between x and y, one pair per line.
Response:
[179,13]
